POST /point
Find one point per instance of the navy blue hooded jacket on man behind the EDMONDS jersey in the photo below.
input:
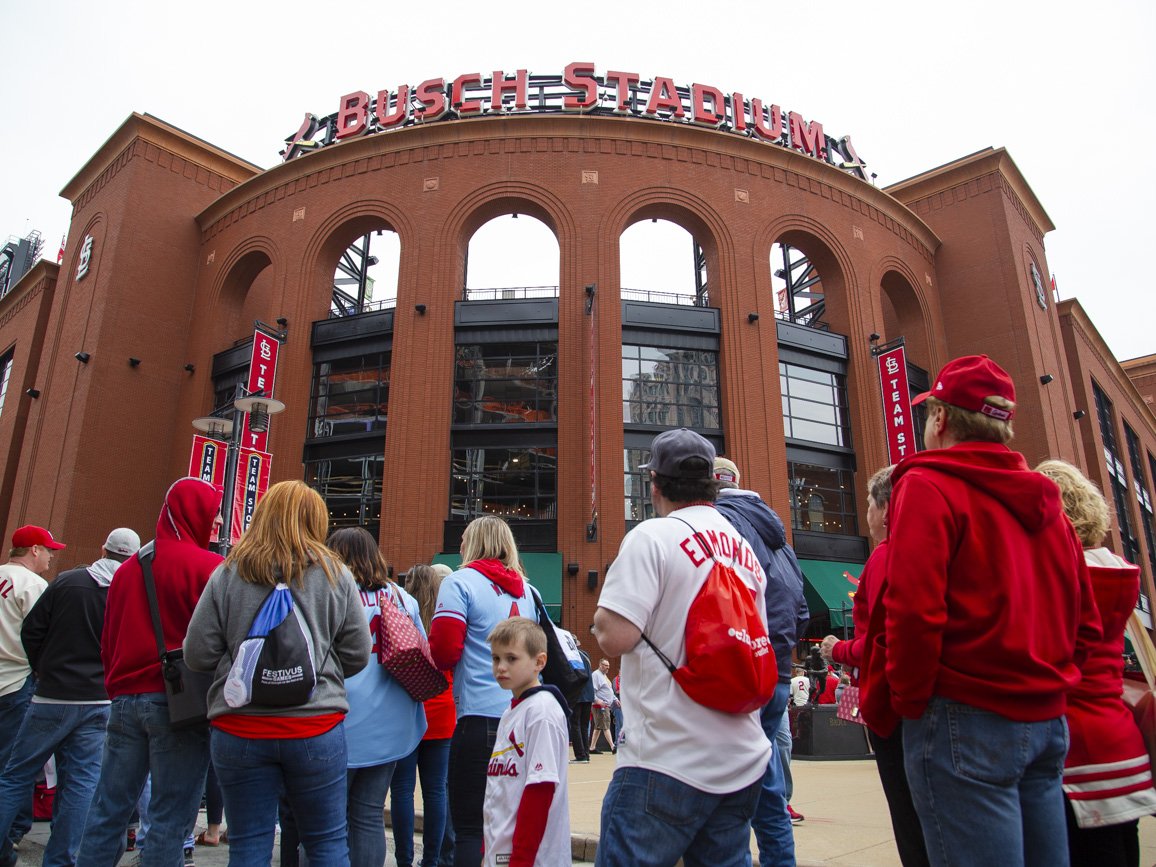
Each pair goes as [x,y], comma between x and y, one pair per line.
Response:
[787,609]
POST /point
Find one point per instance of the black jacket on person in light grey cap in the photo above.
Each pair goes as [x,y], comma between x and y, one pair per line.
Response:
[62,638]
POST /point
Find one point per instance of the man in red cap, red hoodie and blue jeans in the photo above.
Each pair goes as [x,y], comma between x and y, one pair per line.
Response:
[988,612]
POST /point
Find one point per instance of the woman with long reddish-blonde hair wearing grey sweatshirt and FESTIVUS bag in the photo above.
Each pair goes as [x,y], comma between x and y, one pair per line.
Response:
[262,751]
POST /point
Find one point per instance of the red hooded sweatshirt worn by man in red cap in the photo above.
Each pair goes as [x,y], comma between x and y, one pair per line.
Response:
[987,597]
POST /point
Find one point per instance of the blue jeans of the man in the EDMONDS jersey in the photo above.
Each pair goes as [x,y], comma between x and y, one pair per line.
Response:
[650,820]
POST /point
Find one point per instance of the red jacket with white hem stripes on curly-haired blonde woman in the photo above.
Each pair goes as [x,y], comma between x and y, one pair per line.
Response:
[1108,775]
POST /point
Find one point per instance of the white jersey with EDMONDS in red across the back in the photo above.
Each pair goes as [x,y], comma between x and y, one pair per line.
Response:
[659,570]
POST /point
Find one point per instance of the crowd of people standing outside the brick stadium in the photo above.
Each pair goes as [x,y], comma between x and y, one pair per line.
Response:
[988,651]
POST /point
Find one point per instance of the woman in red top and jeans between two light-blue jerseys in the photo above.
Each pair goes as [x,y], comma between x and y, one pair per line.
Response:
[432,758]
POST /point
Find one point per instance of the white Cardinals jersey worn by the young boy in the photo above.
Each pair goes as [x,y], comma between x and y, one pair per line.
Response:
[532,746]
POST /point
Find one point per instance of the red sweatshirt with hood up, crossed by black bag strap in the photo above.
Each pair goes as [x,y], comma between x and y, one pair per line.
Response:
[182,566]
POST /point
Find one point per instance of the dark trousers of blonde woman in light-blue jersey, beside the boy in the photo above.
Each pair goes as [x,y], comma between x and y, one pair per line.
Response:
[470,757]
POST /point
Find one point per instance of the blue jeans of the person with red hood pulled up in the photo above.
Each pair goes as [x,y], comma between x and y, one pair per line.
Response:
[140,743]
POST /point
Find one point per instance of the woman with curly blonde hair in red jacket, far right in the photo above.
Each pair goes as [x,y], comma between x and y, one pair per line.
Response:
[1108,780]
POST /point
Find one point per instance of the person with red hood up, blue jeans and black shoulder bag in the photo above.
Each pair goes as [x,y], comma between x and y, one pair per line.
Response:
[139,739]
